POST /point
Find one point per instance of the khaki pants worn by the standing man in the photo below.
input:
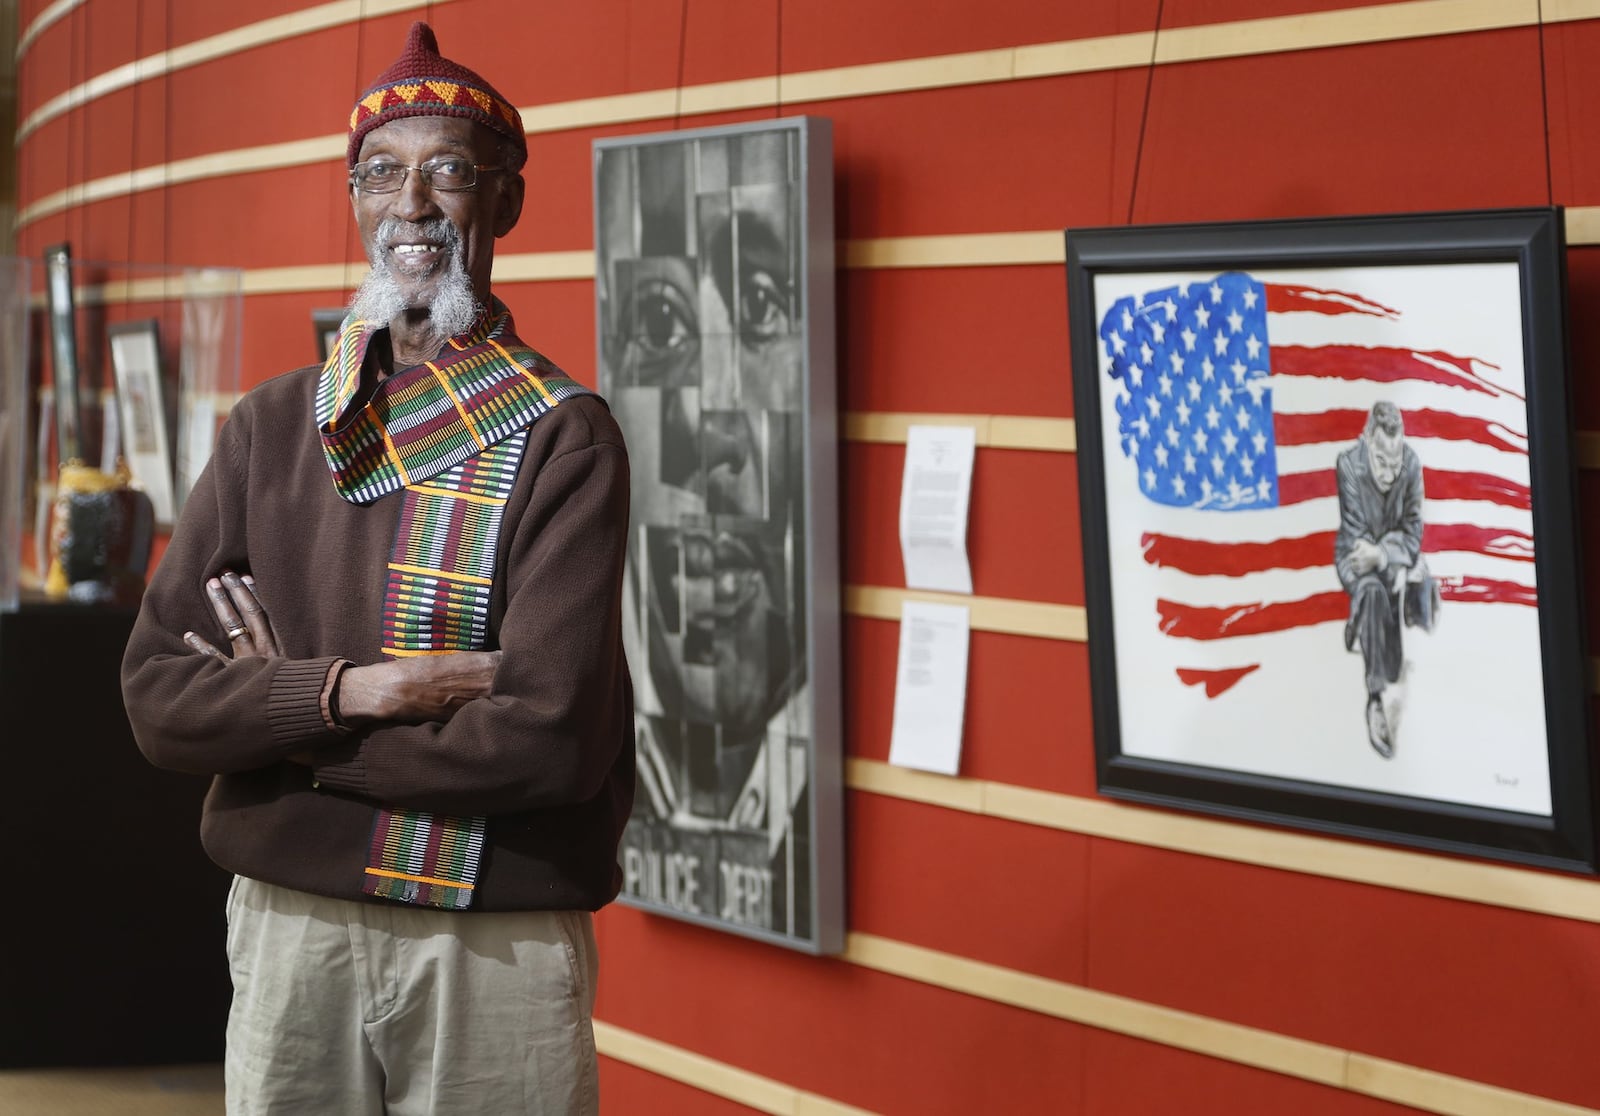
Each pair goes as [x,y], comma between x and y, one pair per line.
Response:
[382,1010]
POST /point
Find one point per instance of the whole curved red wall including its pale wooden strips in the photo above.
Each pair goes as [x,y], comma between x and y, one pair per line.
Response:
[1017,944]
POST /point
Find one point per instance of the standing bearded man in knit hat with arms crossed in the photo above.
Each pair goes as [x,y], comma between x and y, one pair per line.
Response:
[388,626]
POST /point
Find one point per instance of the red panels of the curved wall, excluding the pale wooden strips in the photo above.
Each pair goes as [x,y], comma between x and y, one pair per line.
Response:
[1431,122]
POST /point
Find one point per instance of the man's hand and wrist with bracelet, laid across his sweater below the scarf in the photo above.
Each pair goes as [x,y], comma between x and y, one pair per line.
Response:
[412,692]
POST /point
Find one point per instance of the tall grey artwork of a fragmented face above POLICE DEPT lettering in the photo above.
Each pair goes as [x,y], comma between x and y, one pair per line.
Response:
[714,282]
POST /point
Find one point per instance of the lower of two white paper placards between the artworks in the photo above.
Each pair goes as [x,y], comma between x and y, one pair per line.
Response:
[930,692]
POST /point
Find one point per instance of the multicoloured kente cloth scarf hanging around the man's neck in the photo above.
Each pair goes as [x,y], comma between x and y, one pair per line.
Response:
[450,434]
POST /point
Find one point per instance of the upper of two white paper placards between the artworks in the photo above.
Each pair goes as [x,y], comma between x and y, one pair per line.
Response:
[935,496]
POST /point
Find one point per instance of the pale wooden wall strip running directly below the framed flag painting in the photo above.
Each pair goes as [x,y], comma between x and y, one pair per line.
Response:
[1522,890]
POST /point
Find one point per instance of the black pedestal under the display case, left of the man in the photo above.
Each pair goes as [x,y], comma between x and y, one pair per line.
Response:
[113,933]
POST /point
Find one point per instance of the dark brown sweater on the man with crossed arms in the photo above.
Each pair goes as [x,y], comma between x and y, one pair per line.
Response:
[548,757]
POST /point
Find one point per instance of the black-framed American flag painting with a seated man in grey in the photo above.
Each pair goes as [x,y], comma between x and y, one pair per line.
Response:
[1332,565]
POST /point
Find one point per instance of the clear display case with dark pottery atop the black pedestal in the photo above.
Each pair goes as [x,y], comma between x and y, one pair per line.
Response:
[114,380]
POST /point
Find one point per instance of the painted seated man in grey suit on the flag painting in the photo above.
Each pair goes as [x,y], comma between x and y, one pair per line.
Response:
[1378,554]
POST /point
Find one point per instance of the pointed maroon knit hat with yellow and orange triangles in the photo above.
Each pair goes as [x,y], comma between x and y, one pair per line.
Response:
[422,84]
